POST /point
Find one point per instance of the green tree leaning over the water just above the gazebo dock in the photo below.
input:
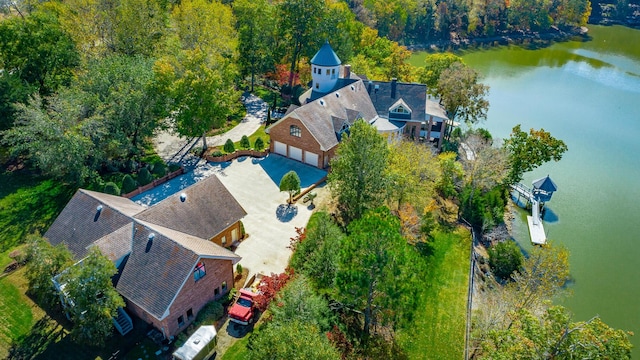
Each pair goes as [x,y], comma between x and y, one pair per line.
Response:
[530,150]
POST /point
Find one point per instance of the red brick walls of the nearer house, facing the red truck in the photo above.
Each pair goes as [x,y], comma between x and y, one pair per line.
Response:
[194,295]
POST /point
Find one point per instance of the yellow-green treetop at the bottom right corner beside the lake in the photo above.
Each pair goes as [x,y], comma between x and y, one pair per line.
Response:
[553,335]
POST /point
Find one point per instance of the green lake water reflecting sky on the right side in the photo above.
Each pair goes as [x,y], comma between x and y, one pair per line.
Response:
[586,93]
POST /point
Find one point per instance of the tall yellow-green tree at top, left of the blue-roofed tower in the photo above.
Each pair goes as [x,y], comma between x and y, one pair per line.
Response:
[199,77]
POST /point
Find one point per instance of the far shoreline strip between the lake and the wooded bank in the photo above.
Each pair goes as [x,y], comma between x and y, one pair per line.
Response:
[517,37]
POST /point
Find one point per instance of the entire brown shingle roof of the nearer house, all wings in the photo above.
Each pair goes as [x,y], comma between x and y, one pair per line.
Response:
[154,271]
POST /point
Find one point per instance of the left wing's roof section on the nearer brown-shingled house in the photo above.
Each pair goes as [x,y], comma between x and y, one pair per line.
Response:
[80,225]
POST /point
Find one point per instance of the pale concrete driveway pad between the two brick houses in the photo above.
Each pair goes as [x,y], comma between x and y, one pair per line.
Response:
[254,182]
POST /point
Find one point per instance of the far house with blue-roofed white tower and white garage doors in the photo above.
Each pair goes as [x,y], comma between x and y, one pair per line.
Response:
[310,133]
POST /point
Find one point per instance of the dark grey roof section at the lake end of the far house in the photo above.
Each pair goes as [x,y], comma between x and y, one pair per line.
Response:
[414,96]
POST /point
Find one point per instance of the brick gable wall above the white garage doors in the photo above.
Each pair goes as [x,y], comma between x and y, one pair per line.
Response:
[281,133]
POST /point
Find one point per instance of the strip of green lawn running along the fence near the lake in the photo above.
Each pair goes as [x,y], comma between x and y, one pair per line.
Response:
[438,330]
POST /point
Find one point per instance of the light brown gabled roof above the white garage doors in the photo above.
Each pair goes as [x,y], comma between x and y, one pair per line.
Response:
[319,117]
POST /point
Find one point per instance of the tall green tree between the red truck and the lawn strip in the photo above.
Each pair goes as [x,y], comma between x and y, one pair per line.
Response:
[374,276]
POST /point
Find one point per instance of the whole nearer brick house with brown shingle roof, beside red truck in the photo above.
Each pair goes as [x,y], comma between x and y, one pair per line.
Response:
[172,258]
